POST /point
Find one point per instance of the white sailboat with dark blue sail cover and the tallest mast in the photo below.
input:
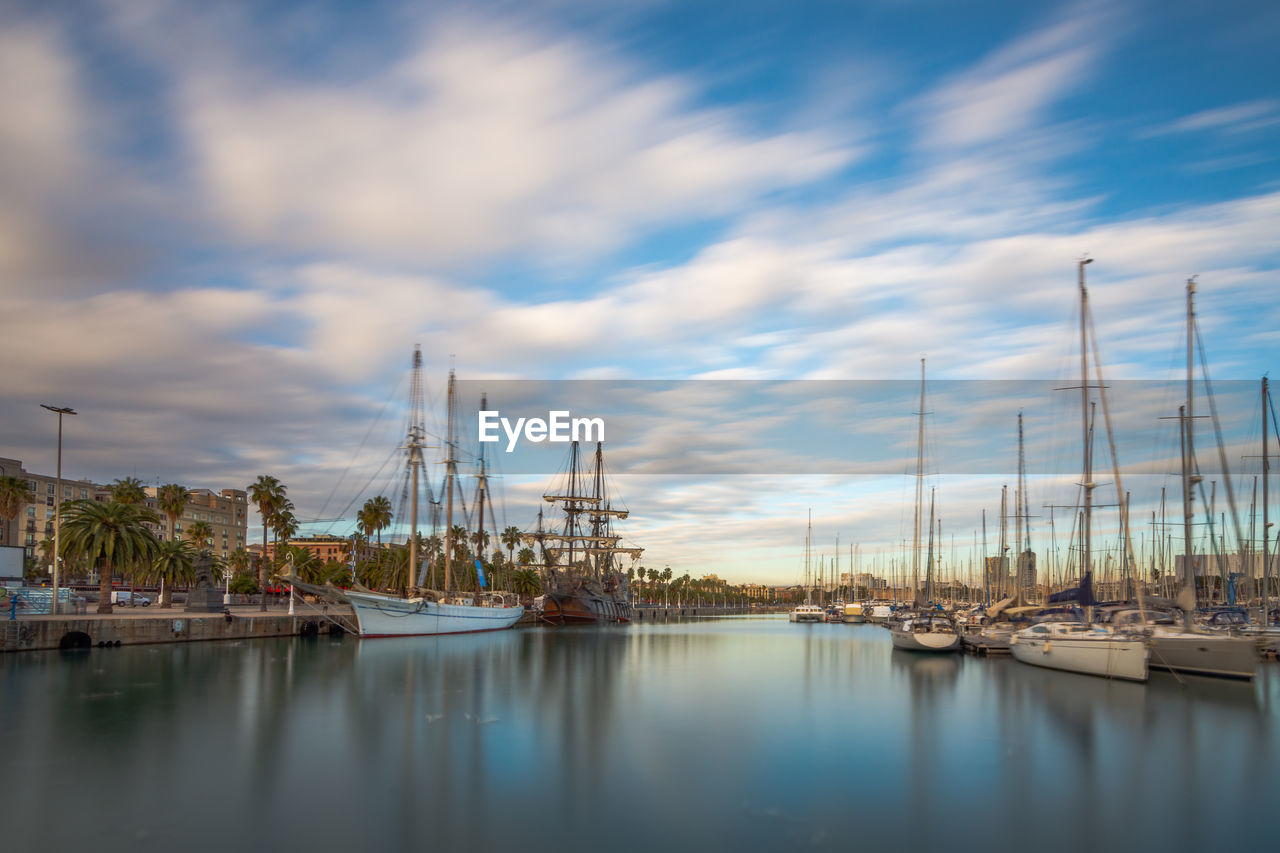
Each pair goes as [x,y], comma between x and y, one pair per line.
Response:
[1084,647]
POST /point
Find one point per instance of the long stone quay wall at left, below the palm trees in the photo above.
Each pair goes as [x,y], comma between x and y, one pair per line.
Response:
[86,632]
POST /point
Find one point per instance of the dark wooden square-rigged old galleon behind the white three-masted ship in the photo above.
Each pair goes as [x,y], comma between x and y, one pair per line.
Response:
[580,564]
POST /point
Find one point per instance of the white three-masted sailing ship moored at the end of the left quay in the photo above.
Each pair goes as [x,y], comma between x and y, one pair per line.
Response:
[424,612]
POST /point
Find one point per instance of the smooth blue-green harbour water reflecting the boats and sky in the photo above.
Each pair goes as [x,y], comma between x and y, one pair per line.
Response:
[748,735]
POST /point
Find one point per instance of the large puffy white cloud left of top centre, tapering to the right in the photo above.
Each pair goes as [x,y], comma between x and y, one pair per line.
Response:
[479,143]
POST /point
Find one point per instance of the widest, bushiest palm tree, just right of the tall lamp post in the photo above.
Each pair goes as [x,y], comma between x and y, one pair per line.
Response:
[115,533]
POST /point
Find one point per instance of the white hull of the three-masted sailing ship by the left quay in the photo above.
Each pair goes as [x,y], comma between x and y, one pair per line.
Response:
[390,617]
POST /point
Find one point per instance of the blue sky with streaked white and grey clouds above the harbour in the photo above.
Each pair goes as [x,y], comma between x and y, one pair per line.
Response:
[225,227]
